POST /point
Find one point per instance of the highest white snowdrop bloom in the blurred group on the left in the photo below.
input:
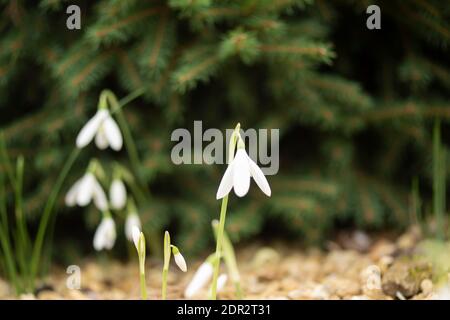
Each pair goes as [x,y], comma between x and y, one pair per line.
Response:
[105,130]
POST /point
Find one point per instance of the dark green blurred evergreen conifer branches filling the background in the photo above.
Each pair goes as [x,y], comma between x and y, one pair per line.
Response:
[355,107]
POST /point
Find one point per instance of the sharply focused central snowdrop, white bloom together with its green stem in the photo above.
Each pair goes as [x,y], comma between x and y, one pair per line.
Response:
[237,176]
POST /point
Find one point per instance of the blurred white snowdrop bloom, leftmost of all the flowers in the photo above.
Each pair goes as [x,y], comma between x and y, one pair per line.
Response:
[84,190]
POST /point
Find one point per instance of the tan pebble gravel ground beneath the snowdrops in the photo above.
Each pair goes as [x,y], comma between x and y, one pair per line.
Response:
[354,266]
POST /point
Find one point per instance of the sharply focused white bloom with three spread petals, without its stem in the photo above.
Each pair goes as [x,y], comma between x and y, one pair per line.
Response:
[238,175]
